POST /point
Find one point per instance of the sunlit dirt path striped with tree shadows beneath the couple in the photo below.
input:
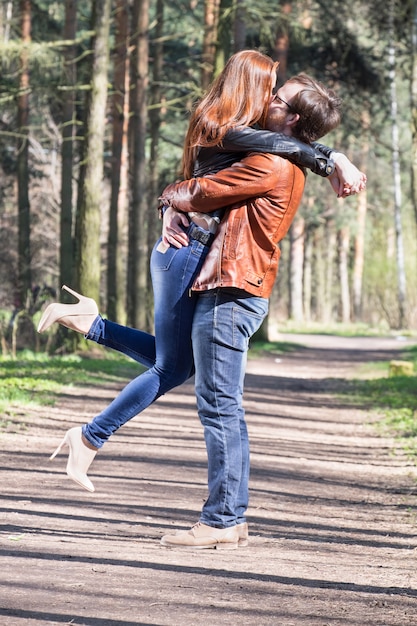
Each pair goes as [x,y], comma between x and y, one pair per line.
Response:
[332,512]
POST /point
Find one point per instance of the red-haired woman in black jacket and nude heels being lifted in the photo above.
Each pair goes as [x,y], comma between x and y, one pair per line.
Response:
[218,135]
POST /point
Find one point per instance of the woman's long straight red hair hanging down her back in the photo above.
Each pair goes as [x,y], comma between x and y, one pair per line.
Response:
[238,97]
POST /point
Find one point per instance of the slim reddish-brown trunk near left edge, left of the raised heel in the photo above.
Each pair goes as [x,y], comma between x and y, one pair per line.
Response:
[24,254]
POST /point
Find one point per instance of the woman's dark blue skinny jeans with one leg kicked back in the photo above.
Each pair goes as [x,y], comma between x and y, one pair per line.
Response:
[168,354]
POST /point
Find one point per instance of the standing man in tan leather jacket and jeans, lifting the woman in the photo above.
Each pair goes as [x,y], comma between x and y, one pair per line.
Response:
[264,192]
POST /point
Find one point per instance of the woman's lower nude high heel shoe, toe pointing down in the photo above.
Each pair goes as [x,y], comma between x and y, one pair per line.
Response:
[79,459]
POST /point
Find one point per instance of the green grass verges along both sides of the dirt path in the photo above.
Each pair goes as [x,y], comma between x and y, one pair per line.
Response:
[37,379]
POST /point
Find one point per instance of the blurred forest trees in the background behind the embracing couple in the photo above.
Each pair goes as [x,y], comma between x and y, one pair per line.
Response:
[95,100]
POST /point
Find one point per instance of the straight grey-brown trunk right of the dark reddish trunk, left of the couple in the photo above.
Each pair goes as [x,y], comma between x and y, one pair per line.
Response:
[138,253]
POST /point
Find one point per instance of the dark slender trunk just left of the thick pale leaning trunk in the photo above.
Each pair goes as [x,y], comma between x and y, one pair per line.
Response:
[66,271]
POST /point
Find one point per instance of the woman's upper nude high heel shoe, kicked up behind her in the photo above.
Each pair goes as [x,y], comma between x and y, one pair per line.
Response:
[78,317]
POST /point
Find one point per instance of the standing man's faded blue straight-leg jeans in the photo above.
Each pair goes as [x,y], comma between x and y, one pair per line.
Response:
[224,322]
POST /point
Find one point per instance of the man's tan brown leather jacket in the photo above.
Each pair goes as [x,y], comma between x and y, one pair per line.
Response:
[263,192]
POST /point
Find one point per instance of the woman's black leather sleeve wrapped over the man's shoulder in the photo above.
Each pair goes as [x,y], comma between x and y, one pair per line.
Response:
[251,140]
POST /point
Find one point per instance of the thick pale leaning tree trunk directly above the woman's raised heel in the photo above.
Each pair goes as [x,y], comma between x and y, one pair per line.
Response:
[91,176]
